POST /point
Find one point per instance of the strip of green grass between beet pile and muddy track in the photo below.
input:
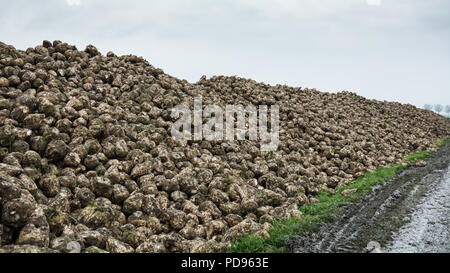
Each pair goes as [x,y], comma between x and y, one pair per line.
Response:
[317,213]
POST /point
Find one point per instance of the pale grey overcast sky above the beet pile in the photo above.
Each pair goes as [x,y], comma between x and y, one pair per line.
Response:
[395,50]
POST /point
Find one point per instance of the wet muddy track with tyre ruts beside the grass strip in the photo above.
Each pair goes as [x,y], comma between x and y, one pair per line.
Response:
[409,213]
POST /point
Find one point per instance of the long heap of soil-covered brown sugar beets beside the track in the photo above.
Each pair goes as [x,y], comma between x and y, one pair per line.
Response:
[88,162]
